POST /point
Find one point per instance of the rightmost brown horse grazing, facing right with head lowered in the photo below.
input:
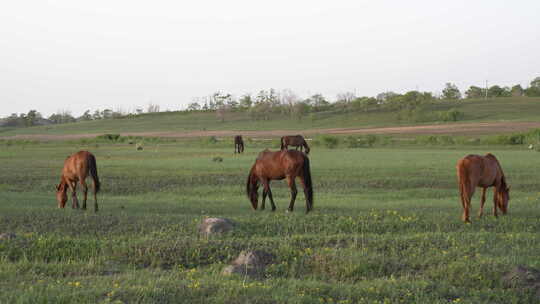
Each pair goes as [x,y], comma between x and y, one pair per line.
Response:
[482,171]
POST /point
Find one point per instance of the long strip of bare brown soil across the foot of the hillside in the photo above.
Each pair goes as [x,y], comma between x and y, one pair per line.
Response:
[449,129]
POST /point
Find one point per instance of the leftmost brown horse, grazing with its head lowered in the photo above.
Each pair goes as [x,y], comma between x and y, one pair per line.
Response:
[76,168]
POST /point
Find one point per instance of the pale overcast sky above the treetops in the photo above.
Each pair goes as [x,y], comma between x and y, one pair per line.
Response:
[123,54]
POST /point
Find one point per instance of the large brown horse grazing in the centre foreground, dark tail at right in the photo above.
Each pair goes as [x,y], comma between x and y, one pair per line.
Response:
[277,166]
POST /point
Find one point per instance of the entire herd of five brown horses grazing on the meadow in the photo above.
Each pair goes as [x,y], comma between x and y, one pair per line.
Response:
[472,171]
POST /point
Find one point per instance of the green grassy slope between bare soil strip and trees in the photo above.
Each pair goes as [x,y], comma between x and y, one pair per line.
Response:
[497,109]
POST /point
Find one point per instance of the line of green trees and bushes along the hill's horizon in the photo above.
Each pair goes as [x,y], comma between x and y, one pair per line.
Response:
[267,103]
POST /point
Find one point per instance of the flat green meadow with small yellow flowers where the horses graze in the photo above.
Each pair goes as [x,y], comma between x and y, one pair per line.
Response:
[386,229]
